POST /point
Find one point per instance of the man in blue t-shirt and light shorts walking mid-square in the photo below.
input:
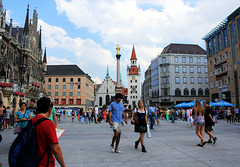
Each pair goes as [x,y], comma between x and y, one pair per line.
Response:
[116,111]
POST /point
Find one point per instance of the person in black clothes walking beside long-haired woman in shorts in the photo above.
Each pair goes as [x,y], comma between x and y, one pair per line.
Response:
[209,122]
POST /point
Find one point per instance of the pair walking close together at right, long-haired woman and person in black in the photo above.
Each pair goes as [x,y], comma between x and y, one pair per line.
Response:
[204,119]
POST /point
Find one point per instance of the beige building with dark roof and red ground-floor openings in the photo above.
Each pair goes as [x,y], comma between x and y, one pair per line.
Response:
[69,86]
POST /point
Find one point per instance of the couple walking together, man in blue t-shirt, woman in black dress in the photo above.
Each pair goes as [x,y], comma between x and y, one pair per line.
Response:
[116,111]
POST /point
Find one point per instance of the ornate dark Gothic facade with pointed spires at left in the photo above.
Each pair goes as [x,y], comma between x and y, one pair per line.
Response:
[21,64]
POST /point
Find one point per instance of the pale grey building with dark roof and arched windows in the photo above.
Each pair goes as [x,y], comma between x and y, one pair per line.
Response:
[183,74]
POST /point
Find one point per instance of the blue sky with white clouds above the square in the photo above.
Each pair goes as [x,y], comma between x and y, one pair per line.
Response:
[86,32]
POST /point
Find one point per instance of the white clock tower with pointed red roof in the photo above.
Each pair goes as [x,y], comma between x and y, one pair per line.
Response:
[134,79]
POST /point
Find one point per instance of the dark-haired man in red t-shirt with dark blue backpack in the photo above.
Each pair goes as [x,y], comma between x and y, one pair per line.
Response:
[38,141]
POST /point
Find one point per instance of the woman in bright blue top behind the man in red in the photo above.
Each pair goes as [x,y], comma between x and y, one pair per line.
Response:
[22,117]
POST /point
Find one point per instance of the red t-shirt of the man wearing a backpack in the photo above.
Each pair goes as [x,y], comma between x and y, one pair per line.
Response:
[46,134]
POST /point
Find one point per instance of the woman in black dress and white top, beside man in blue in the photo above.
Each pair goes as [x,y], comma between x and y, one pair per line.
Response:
[141,124]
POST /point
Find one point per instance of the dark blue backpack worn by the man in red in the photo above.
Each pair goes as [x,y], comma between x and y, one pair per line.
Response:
[24,150]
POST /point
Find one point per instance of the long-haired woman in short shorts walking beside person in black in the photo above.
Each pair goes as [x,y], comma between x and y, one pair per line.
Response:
[199,121]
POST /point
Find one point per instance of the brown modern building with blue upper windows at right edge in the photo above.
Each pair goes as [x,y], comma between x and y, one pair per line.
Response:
[223,50]
